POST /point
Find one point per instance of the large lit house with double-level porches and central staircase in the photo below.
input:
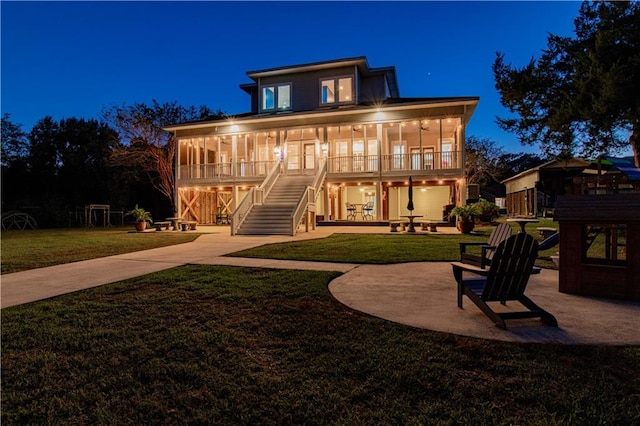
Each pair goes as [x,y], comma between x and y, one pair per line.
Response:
[321,140]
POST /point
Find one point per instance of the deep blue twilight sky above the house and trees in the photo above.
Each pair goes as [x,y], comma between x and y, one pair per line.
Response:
[72,59]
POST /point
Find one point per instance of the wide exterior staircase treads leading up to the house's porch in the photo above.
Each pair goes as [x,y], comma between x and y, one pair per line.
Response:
[273,217]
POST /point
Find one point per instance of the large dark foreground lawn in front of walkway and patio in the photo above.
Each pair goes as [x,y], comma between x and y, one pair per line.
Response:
[231,346]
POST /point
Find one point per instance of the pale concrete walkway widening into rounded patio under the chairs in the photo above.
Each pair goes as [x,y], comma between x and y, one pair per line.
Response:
[417,294]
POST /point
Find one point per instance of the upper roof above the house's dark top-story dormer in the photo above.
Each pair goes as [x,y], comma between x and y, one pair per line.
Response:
[359,61]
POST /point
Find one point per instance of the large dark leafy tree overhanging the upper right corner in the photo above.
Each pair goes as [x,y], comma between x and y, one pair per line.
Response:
[581,96]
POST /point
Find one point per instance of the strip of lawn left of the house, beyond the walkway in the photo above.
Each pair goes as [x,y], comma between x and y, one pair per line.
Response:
[29,249]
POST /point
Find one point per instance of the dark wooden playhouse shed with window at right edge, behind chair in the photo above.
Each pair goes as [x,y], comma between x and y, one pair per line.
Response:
[600,245]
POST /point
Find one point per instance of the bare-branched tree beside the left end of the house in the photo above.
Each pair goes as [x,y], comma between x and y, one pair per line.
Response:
[148,151]
